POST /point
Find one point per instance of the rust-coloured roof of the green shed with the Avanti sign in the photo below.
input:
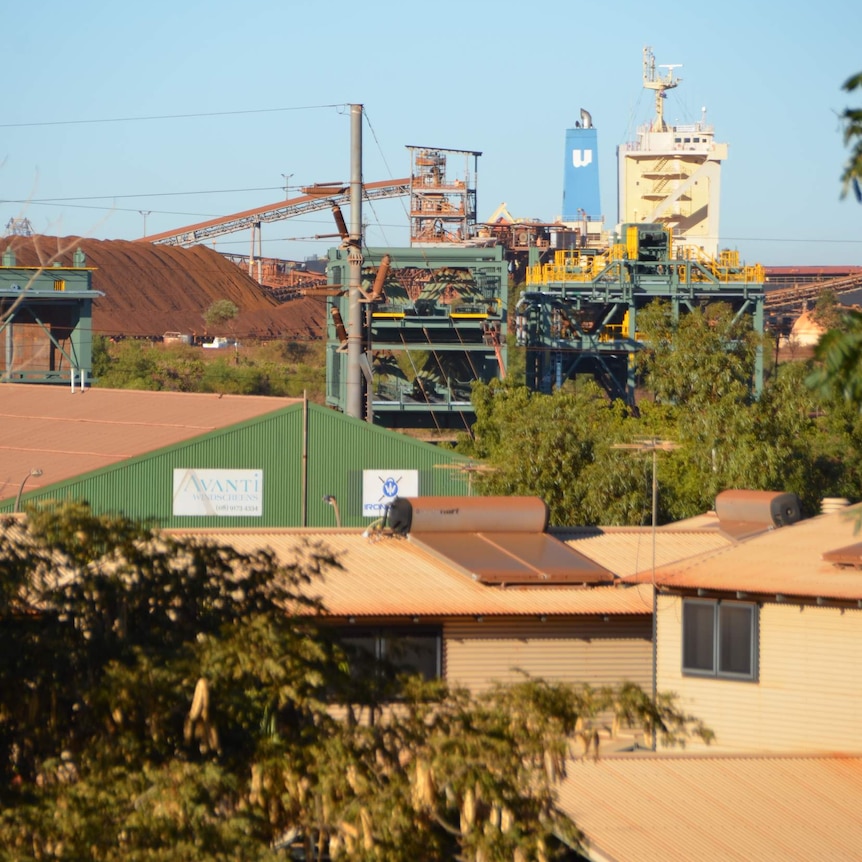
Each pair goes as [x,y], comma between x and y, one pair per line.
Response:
[65,434]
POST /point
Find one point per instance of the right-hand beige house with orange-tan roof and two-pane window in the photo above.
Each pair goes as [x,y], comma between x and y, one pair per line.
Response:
[763,639]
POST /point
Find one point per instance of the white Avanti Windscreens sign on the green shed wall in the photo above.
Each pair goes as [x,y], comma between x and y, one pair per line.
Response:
[225,493]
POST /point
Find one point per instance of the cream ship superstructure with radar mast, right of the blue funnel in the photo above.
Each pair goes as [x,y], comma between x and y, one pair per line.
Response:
[671,174]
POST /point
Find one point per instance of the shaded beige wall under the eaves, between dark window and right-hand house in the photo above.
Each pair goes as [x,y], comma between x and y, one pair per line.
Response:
[586,649]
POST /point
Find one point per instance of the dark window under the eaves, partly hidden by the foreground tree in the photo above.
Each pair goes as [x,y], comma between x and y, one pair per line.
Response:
[405,649]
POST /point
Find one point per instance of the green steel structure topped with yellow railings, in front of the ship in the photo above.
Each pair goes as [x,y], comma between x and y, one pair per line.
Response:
[578,311]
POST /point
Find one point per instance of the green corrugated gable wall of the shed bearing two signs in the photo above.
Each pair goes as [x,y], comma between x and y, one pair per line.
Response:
[302,453]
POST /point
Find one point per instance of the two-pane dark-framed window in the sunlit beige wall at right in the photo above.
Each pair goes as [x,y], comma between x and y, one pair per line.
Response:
[719,639]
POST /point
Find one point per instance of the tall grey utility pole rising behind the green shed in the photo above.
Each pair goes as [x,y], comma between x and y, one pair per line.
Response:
[354,257]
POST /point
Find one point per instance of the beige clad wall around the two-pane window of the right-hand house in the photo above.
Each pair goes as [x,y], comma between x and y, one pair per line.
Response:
[809,693]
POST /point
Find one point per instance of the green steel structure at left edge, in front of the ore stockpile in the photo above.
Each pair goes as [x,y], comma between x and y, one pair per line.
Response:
[46,322]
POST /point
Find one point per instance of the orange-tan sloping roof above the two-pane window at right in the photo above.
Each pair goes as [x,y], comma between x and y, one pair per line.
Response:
[786,561]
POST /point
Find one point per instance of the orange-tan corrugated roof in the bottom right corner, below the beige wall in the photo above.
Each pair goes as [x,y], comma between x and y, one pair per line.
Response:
[660,808]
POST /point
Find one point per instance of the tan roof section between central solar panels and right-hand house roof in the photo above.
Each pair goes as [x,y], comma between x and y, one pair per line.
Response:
[625,551]
